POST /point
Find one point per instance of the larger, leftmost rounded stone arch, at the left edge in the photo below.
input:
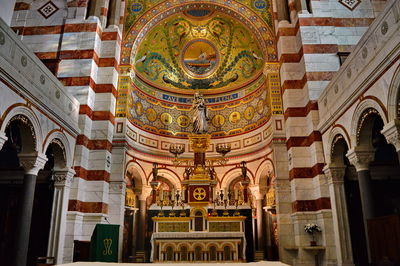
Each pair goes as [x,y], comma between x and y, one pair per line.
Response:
[22,112]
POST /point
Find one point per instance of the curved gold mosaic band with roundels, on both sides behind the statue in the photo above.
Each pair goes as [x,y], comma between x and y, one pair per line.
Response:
[173,119]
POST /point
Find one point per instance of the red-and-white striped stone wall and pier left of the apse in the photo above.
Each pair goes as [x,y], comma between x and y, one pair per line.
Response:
[84,55]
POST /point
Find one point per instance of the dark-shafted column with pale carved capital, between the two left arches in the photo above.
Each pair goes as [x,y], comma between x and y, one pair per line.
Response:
[31,163]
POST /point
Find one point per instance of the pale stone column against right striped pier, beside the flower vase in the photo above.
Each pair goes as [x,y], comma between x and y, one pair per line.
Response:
[341,226]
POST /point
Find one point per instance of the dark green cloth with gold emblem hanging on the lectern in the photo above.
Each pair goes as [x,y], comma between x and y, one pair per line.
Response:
[104,243]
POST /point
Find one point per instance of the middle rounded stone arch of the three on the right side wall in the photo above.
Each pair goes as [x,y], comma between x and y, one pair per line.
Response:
[359,116]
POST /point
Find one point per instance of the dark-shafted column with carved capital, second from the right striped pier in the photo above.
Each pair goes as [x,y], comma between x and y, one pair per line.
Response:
[361,159]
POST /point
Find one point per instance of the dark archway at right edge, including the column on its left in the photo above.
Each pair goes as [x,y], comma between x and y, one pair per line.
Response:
[377,167]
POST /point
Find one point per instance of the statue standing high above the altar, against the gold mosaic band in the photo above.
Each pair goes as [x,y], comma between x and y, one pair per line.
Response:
[200,115]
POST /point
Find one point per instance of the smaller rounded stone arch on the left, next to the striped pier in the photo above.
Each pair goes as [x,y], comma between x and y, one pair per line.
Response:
[57,137]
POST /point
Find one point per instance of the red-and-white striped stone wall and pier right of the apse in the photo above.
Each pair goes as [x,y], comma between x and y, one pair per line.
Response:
[309,40]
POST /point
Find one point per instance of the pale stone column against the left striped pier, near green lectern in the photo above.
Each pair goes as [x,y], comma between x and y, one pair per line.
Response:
[62,185]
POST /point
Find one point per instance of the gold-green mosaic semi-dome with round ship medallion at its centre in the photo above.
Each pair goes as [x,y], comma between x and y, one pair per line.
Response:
[198,49]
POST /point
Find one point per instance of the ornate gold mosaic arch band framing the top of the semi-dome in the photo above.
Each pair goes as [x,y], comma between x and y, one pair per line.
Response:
[142,15]
